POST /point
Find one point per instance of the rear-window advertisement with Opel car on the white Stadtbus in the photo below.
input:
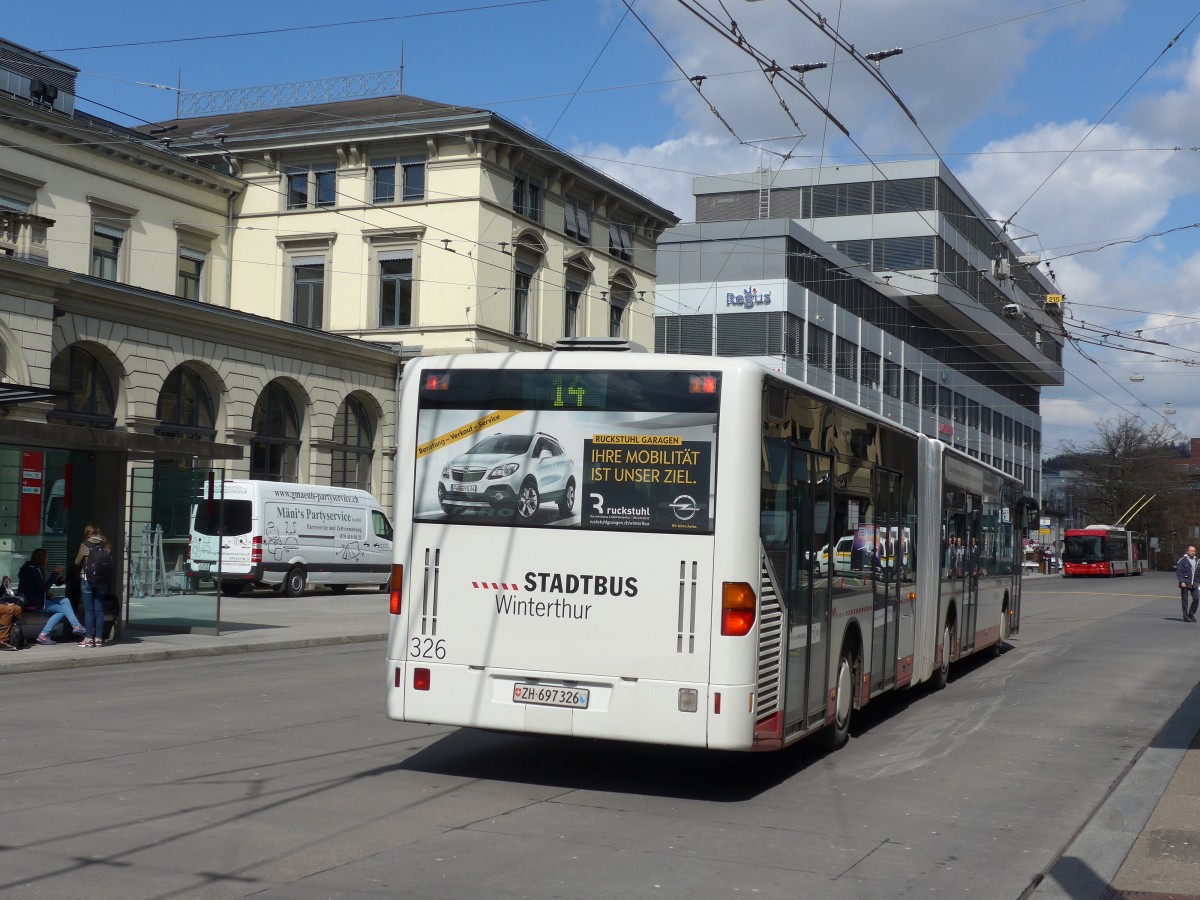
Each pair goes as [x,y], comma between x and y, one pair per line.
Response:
[567,466]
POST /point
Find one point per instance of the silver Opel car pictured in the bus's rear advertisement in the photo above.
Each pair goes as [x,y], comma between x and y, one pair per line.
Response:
[518,472]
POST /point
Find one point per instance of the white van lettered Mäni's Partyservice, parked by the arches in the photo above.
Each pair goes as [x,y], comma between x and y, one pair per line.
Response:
[290,536]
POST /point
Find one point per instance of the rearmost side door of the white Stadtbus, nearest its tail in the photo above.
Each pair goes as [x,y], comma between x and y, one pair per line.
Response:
[808,587]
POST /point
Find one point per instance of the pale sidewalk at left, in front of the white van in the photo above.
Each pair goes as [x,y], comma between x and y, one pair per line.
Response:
[250,623]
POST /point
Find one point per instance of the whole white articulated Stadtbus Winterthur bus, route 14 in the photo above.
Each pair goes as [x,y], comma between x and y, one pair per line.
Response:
[621,545]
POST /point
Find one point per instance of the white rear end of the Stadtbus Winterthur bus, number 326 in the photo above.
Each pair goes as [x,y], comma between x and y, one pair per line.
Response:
[556,563]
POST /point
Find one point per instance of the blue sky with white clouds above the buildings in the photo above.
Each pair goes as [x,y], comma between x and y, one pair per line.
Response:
[1003,92]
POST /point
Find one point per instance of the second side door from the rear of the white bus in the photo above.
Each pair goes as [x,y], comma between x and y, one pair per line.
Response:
[885,579]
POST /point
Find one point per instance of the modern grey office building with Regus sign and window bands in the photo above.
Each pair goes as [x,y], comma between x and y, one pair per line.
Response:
[887,286]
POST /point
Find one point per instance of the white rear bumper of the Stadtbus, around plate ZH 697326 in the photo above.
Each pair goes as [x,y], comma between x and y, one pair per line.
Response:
[644,711]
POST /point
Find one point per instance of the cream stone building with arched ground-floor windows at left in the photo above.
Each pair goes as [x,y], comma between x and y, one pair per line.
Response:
[241,297]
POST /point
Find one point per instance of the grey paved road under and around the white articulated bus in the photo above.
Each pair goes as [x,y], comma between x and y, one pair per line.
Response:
[277,775]
